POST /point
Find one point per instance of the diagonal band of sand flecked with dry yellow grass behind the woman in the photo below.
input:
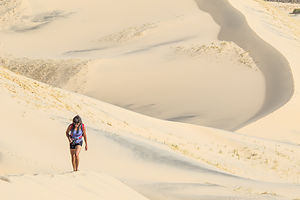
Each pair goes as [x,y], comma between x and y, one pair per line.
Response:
[268,157]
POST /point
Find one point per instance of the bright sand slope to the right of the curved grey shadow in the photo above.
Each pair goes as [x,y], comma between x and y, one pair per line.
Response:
[283,33]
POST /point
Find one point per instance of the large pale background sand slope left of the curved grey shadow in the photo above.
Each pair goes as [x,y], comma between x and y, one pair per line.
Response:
[139,63]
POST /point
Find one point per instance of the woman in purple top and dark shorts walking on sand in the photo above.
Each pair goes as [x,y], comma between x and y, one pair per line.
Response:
[74,133]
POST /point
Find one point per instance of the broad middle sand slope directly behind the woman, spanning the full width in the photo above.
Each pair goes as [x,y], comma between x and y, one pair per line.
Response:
[137,149]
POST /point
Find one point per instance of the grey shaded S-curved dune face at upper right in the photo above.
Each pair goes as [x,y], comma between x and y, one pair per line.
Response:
[274,66]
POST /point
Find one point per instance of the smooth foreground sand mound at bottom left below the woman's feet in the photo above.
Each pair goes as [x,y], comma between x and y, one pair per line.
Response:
[65,185]
